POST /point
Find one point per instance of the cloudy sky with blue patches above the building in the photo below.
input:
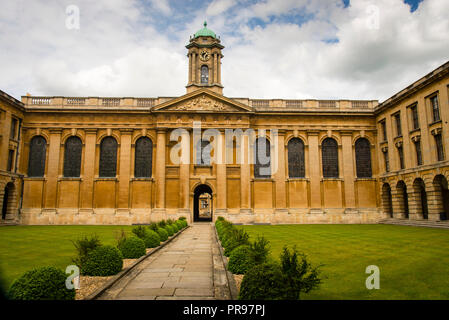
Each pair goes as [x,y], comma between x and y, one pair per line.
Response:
[322,49]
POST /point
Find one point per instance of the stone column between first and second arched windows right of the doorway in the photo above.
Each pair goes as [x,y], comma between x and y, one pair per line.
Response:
[279,173]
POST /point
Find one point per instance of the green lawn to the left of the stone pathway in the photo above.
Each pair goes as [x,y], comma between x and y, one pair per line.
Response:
[25,247]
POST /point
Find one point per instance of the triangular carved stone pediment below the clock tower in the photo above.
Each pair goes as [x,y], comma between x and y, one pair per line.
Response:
[203,100]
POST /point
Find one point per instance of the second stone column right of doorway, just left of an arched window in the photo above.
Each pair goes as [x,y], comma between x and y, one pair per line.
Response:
[245,176]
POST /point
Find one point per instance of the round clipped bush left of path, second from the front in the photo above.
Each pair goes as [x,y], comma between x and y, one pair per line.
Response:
[103,261]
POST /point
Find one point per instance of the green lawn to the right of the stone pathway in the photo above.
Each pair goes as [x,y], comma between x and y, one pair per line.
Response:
[413,261]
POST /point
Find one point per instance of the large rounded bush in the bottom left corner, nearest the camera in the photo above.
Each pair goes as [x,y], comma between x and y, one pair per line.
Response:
[45,283]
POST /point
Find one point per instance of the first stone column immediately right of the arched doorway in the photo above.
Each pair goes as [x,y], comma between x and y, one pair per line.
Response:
[221,172]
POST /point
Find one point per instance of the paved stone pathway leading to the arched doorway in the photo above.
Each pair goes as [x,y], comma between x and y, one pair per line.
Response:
[184,269]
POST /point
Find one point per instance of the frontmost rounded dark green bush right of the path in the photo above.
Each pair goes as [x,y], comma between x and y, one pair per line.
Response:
[264,282]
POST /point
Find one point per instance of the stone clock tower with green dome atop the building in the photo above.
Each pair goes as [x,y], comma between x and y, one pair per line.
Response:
[204,61]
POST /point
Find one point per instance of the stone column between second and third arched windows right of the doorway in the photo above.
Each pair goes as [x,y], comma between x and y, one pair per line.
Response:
[314,171]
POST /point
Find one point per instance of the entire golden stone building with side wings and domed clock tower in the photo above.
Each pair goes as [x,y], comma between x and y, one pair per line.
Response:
[108,160]
